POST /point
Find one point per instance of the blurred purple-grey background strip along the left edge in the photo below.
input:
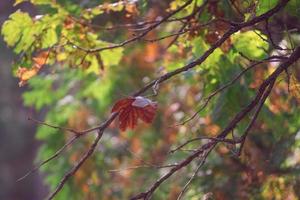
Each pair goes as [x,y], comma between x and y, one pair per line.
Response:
[18,147]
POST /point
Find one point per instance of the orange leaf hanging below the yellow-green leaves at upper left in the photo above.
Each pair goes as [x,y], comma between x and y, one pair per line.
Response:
[24,74]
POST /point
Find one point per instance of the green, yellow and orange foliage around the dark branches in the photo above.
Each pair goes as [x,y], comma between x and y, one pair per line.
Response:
[76,85]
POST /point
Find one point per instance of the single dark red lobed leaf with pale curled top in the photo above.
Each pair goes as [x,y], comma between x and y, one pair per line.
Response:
[133,108]
